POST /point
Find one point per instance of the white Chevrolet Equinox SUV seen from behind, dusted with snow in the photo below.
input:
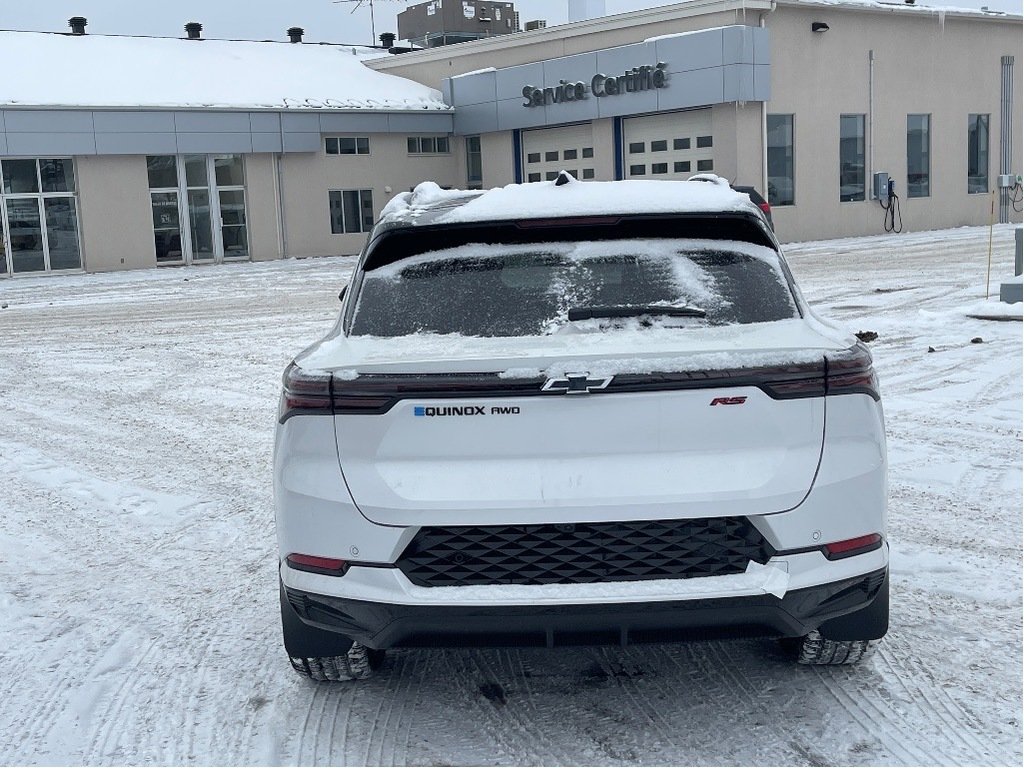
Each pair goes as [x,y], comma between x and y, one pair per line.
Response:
[578,413]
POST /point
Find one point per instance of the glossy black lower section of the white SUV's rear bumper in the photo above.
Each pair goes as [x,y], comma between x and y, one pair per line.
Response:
[380,625]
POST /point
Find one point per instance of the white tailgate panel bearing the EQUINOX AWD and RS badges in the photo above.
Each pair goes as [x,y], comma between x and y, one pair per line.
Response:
[607,456]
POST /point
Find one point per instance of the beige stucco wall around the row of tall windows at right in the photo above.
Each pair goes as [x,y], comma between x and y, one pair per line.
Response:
[923,65]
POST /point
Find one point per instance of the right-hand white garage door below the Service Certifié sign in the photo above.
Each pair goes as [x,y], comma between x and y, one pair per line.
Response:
[672,146]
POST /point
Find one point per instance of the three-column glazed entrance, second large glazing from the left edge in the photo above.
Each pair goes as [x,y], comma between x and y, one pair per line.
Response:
[199,208]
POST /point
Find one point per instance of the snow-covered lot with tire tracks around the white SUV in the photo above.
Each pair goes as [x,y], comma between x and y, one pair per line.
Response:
[139,600]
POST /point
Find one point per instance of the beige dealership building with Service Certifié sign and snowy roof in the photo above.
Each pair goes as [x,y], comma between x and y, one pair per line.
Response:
[123,153]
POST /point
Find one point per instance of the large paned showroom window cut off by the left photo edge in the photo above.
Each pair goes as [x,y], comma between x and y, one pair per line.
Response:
[38,217]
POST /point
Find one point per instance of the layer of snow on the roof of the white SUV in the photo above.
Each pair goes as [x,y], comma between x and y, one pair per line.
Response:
[707,194]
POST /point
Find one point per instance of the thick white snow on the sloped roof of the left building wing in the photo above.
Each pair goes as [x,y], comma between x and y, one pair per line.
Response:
[61,70]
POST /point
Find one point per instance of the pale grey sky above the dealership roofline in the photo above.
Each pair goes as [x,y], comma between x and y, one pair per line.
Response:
[324,21]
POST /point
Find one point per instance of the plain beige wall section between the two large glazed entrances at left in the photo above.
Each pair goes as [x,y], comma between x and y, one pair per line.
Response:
[114,214]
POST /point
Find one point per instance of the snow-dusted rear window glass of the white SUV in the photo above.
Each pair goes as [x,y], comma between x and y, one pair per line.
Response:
[529,290]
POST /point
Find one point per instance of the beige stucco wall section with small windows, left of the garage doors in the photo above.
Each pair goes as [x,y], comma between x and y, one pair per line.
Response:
[308,178]
